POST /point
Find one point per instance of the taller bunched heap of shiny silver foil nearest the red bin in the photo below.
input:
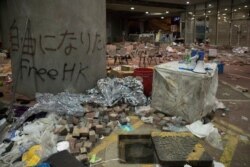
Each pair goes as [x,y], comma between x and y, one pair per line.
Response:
[111,91]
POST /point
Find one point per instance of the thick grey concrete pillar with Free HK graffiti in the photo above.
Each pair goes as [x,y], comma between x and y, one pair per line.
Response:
[63,45]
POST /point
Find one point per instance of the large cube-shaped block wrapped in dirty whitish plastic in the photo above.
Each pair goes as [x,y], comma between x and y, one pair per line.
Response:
[184,93]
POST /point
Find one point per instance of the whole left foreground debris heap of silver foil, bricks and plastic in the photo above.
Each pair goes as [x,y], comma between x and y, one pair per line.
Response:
[71,122]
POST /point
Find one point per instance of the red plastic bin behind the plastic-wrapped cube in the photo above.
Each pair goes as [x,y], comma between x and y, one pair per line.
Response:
[147,75]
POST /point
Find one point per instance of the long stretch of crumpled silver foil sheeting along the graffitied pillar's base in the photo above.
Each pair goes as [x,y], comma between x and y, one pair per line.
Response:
[107,93]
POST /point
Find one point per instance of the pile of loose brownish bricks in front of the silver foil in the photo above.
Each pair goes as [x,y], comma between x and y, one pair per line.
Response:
[83,133]
